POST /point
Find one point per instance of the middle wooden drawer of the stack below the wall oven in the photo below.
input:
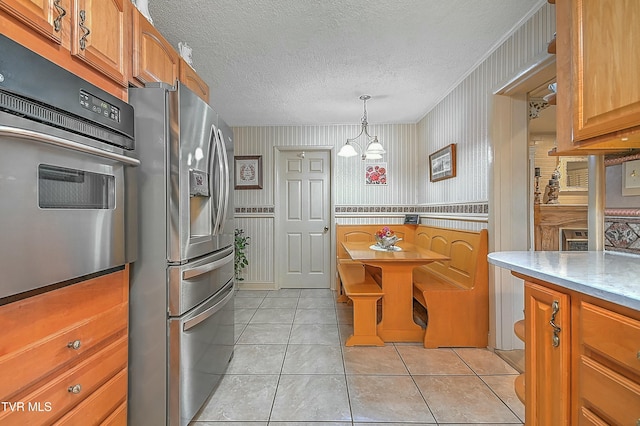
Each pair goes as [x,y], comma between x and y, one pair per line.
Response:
[57,395]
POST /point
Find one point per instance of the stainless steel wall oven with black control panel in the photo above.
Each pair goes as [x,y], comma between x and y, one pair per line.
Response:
[64,162]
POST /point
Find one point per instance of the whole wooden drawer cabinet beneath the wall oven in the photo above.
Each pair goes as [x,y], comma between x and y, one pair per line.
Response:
[64,355]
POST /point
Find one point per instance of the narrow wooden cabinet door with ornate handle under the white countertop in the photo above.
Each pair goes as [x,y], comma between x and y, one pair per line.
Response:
[547,352]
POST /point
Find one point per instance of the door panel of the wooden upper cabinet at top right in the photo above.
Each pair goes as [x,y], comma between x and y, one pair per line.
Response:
[605,38]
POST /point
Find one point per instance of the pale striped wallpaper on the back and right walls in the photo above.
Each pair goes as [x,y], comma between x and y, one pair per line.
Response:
[462,117]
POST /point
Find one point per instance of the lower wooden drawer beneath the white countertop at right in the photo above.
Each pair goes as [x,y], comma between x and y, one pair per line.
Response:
[604,391]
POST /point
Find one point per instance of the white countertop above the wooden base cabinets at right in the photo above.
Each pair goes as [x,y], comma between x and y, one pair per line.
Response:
[613,277]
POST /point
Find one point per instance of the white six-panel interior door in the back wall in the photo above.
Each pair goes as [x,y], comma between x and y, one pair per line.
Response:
[304,210]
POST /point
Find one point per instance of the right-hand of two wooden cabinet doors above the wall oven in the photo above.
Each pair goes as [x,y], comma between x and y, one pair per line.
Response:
[100,36]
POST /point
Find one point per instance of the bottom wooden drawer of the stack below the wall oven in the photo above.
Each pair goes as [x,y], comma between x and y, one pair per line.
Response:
[103,406]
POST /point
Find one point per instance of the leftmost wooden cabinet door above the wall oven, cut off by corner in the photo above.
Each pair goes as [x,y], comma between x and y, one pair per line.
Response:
[43,16]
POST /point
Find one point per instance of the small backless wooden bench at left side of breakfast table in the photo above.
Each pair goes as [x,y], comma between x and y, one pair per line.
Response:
[362,289]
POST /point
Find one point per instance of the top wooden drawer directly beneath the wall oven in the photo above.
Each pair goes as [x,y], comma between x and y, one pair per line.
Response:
[37,330]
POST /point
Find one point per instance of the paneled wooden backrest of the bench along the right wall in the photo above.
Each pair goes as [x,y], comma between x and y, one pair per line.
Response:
[467,250]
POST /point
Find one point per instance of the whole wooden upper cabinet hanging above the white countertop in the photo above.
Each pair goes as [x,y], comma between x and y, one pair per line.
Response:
[598,102]
